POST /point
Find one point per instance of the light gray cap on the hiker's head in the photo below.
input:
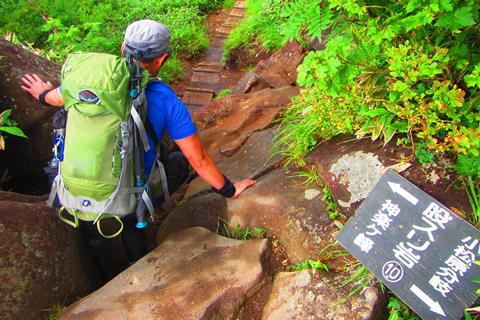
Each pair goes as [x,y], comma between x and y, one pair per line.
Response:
[150,37]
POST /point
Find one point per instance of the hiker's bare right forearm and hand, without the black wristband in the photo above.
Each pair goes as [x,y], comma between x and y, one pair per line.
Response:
[204,165]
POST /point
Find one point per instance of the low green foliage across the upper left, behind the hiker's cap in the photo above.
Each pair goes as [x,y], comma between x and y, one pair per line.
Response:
[61,26]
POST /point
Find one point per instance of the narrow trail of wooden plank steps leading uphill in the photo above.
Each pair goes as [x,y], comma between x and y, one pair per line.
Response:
[205,81]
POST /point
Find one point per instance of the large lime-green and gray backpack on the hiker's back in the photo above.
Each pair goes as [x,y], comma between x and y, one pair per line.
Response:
[101,174]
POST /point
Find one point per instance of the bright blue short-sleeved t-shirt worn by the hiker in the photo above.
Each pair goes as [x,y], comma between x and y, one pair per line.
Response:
[166,111]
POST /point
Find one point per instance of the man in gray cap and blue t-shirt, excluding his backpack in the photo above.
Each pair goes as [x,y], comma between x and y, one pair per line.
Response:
[151,40]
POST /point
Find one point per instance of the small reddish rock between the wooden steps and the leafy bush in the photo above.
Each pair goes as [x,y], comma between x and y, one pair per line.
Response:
[280,69]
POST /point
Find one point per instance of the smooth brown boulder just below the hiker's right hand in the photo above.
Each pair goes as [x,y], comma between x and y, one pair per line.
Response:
[278,202]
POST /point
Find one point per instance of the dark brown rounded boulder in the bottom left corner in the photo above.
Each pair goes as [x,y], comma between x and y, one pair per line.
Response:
[43,262]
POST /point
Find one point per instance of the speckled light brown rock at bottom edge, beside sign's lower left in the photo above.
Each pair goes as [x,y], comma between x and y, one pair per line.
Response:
[301,295]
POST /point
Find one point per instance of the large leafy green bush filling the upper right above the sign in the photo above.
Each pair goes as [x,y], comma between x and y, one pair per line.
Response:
[407,67]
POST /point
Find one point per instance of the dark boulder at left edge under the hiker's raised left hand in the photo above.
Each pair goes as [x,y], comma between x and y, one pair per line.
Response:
[25,158]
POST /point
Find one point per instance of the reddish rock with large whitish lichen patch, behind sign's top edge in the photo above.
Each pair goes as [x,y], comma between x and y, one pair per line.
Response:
[363,163]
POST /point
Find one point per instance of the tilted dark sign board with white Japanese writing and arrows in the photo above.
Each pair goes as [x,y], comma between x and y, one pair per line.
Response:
[417,247]
